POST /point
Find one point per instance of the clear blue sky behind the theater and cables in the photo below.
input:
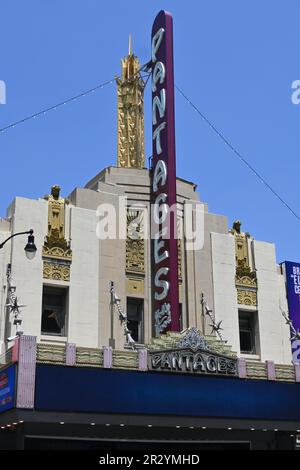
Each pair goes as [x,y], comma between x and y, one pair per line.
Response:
[235,59]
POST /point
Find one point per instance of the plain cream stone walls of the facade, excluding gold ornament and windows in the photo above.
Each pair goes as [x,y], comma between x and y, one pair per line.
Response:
[89,319]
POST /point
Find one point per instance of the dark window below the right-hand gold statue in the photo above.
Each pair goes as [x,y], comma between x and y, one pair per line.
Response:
[248,332]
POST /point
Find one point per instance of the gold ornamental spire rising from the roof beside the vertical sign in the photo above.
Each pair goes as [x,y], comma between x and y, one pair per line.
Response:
[130,89]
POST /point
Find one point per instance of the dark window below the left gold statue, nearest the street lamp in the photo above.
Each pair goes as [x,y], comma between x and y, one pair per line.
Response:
[54,311]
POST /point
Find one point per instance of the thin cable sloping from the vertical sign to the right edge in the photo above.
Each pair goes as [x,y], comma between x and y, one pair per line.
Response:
[238,154]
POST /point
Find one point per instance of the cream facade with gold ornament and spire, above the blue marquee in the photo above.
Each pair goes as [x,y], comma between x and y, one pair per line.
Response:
[233,281]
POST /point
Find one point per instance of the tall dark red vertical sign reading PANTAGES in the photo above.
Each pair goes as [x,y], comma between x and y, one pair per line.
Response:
[163,217]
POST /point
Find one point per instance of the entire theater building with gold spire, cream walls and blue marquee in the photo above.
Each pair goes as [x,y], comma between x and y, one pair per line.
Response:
[95,364]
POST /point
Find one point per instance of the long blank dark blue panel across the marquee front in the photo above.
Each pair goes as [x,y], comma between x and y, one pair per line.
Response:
[85,389]
